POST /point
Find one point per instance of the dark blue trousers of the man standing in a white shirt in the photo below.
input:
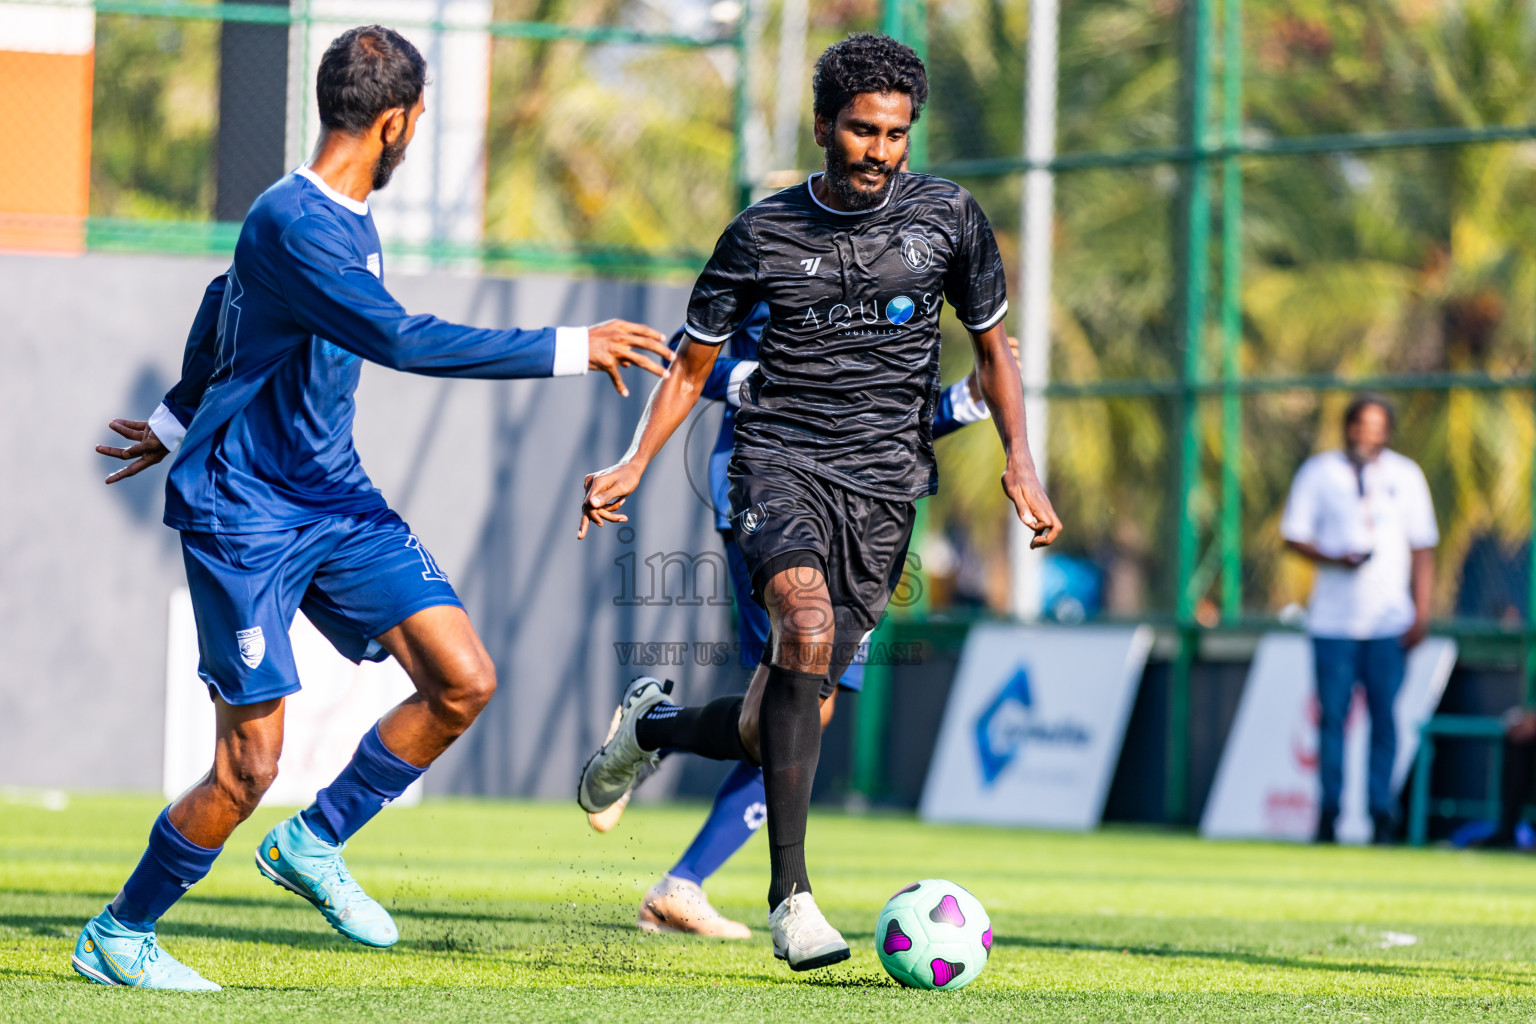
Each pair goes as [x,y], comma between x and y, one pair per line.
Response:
[1379,666]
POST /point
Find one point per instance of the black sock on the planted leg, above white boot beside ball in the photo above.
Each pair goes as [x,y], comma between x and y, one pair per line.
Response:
[790,733]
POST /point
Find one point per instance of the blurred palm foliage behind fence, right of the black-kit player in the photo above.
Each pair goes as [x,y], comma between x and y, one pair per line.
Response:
[1356,265]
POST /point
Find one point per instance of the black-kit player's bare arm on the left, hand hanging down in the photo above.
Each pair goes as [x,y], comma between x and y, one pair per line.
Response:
[667,408]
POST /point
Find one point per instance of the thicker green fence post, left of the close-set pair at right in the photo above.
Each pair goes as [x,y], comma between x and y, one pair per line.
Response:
[1194,273]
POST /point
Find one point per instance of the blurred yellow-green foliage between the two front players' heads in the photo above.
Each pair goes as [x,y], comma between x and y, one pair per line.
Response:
[607,145]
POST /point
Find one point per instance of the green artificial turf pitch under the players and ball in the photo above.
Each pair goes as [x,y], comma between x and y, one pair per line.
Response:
[518,913]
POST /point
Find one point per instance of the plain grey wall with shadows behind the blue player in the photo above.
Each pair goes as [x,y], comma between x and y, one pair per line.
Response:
[488,474]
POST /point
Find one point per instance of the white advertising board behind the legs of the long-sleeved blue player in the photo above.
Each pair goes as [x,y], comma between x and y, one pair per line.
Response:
[323,722]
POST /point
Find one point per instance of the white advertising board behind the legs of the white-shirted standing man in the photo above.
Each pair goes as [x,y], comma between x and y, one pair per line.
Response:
[1268,787]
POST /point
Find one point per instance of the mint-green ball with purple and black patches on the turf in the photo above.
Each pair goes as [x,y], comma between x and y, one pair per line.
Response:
[935,936]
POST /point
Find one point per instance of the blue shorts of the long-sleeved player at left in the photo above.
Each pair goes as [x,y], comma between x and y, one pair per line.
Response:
[354,576]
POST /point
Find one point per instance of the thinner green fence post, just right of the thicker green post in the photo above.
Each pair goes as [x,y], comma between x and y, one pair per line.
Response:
[1231,312]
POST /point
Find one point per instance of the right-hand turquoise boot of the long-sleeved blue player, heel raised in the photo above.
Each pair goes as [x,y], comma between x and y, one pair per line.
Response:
[294,859]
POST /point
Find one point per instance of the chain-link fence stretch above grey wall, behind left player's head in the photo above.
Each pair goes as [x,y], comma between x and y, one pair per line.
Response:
[561,136]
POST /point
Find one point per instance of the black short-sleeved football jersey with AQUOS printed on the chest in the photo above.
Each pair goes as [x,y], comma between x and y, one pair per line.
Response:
[849,365]
